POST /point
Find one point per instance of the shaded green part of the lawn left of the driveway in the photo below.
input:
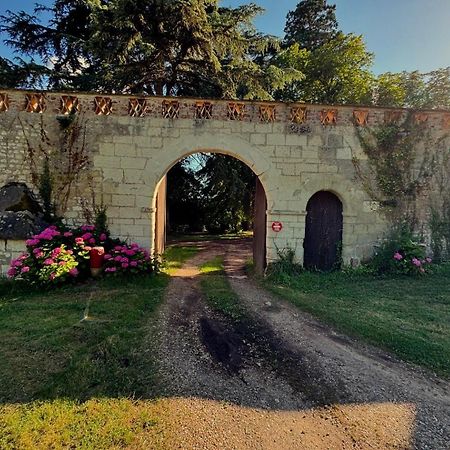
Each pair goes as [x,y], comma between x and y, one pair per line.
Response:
[77,342]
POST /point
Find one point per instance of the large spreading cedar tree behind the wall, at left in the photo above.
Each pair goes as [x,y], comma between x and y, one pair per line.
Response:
[170,47]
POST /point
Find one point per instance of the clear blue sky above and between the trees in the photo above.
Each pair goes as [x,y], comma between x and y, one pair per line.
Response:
[403,34]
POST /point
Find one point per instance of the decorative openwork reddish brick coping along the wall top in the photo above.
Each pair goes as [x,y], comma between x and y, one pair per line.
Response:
[297,115]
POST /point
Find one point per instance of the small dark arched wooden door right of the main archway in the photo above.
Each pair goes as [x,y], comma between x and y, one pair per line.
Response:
[323,233]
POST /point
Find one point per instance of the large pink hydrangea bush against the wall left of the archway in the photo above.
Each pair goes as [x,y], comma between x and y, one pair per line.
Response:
[58,255]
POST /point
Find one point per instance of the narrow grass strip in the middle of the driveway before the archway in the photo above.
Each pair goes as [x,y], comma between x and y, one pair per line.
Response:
[217,290]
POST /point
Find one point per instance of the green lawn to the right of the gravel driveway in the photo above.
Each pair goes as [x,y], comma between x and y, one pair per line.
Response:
[409,316]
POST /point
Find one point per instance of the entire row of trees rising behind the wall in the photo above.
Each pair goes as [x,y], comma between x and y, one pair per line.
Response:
[198,48]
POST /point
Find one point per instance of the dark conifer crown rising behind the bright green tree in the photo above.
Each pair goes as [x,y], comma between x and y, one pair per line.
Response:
[312,24]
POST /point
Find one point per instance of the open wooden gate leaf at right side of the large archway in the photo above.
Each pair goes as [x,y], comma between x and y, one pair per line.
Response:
[259,229]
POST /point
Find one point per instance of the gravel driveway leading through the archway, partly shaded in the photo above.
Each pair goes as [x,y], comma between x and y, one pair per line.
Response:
[282,380]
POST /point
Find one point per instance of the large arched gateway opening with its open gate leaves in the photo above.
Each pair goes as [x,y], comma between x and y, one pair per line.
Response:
[211,194]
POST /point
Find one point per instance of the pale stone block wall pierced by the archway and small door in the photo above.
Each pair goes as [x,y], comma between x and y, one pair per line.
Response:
[296,150]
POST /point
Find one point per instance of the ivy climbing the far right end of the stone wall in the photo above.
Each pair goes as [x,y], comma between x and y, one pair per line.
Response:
[408,173]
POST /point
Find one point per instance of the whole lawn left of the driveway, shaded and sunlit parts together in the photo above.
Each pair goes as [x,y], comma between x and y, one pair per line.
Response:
[77,365]
